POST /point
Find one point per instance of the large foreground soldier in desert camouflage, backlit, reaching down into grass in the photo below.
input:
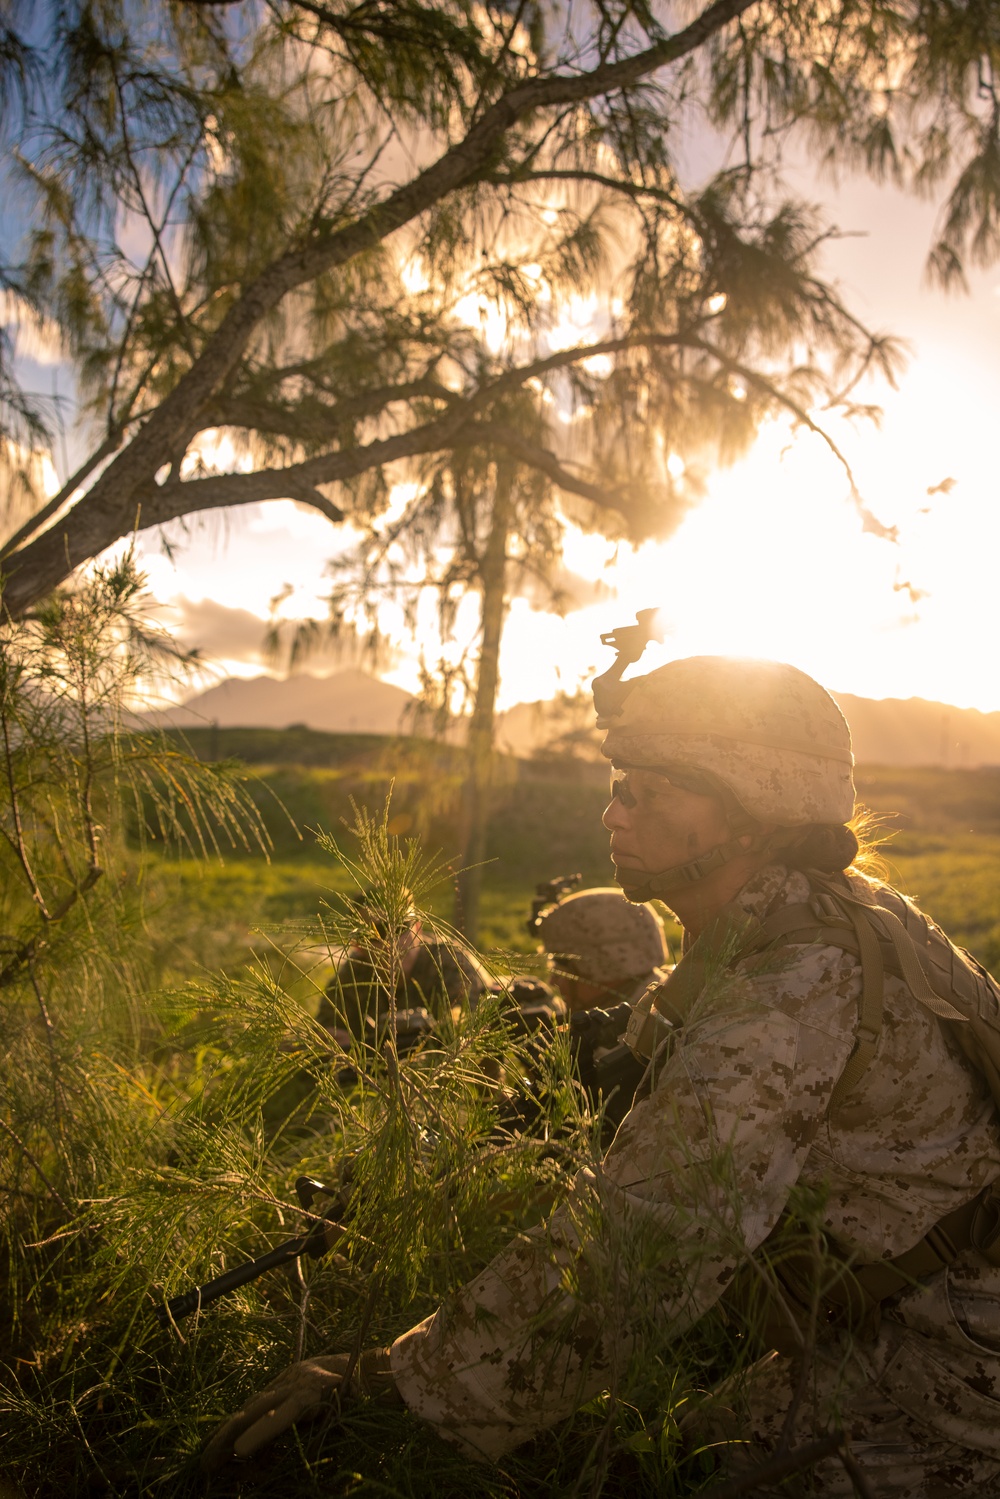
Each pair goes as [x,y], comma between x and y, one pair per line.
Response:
[821,1058]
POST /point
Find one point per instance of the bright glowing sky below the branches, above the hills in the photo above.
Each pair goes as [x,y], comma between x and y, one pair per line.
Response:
[773,563]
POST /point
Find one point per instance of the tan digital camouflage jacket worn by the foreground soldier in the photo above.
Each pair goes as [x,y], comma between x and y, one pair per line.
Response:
[735,1124]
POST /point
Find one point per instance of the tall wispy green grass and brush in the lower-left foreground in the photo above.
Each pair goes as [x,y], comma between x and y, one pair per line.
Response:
[190,1155]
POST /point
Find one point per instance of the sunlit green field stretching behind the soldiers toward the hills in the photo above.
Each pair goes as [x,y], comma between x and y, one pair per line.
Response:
[941,834]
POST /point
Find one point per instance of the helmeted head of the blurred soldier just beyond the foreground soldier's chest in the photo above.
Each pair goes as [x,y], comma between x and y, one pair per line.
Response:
[602,948]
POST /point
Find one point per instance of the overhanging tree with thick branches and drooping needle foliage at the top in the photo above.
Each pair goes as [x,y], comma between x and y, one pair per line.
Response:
[274,220]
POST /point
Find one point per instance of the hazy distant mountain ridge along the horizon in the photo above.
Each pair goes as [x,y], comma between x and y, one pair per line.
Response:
[899,732]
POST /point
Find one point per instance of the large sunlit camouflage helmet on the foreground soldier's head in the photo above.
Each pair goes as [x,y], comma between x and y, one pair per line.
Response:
[773,735]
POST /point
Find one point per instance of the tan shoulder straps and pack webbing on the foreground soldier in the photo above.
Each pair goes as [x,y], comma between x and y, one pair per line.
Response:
[888,935]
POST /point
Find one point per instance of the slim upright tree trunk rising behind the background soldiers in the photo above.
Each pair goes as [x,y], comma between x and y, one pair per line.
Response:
[481,747]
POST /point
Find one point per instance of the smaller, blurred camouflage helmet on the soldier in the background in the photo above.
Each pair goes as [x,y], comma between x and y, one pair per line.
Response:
[602,938]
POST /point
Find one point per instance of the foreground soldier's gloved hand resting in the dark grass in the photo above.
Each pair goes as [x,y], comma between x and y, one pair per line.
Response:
[301,1393]
